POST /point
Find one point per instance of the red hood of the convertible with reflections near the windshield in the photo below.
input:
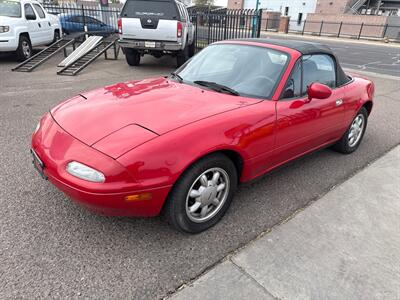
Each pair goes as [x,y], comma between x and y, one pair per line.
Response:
[157,105]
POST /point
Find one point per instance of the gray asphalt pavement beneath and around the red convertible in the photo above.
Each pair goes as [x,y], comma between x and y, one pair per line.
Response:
[51,248]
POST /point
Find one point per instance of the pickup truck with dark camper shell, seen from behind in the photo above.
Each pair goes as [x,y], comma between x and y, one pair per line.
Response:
[155,27]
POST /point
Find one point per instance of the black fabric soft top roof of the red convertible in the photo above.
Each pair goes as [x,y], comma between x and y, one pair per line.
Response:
[306,48]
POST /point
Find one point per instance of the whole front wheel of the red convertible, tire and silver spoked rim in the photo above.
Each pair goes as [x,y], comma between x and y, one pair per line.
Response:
[202,195]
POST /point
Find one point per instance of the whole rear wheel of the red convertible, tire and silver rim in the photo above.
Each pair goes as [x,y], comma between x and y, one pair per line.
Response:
[354,134]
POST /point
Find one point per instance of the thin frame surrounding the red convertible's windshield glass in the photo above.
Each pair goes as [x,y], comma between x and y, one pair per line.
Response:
[273,90]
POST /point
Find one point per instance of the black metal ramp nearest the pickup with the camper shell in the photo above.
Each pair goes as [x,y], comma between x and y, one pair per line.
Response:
[90,56]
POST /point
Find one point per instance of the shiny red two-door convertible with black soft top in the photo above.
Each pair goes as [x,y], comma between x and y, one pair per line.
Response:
[181,144]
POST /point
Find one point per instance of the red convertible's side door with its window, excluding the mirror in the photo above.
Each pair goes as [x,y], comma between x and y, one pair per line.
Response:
[303,124]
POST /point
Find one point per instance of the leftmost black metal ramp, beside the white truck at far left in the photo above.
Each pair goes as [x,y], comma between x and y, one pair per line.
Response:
[39,58]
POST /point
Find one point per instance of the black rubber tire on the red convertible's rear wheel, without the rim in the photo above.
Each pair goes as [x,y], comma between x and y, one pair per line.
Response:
[344,145]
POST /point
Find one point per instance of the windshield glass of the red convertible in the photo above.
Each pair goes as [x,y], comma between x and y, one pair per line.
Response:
[248,70]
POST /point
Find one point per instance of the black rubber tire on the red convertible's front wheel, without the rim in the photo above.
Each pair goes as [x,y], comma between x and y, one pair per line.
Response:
[175,209]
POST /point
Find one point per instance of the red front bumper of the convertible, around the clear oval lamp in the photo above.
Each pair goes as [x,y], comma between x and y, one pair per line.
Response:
[56,148]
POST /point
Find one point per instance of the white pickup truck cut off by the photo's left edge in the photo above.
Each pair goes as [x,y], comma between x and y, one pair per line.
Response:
[24,24]
